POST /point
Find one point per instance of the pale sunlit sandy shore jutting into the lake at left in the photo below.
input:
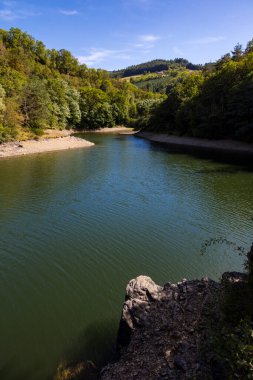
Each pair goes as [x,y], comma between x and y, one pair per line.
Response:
[17,148]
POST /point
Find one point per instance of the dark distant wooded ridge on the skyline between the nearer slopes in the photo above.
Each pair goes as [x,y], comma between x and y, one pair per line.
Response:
[154,66]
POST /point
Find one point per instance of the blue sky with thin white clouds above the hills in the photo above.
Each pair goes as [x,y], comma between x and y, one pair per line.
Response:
[114,34]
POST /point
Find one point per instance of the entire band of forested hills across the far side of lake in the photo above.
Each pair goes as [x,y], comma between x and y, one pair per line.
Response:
[42,88]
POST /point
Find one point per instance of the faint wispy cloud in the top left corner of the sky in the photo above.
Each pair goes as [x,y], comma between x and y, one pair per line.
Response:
[12,10]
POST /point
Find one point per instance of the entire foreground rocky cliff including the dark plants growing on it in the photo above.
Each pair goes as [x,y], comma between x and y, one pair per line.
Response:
[199,329]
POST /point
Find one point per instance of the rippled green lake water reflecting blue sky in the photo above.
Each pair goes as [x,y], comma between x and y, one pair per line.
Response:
[77,225]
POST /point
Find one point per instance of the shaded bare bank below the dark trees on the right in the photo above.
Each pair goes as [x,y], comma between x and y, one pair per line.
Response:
[216,148]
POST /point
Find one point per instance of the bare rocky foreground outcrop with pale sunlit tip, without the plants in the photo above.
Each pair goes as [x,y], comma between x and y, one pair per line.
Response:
[163,331]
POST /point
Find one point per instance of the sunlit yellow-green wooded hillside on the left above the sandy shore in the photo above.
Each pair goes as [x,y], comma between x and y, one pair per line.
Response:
[42,88]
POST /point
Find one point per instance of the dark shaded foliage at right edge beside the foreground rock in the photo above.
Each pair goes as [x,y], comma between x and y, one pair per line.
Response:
[230,327]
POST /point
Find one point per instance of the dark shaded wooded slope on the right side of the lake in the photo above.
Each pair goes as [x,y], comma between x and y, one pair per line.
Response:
[216,102]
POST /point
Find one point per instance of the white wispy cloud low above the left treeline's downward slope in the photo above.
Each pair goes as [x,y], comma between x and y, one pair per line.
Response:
[96,56]
